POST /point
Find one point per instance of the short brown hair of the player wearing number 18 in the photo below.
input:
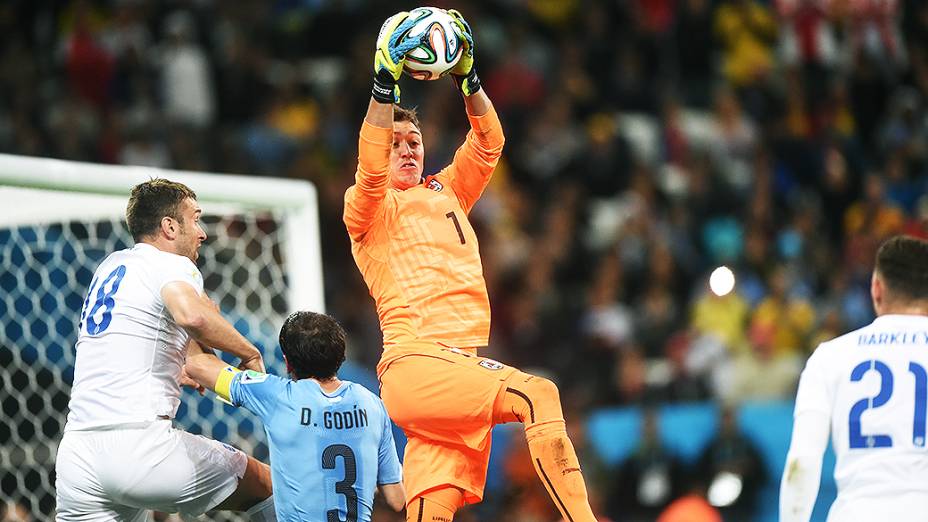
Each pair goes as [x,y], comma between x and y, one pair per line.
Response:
[151,201]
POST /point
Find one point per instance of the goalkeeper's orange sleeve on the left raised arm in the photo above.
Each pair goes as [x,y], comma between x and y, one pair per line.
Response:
[364,199]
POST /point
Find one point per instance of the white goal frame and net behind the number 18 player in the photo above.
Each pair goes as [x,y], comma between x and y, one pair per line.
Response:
[59,219]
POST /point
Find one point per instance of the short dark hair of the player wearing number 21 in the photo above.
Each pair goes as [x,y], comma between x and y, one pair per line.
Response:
[902,262]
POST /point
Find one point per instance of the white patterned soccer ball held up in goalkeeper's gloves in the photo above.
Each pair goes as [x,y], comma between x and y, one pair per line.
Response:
[438,54]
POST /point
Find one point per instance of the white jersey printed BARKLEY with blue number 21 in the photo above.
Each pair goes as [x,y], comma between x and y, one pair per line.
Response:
[873,383]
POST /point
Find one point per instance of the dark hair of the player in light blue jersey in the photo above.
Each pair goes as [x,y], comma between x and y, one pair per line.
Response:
[314,345]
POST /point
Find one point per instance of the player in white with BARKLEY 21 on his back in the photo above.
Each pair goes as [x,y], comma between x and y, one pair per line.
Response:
[870,387]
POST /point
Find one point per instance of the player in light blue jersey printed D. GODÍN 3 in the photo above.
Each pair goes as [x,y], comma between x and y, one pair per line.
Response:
[331,441]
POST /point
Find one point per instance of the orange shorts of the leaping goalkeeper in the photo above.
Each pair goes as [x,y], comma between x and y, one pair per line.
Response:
[444,399]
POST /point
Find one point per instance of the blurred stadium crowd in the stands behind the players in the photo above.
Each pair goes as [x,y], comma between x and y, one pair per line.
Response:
[648,142]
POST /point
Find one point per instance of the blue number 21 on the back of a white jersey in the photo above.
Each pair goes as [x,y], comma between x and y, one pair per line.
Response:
[856,439]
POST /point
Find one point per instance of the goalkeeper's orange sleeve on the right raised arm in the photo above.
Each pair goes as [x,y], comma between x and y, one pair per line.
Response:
[476,159]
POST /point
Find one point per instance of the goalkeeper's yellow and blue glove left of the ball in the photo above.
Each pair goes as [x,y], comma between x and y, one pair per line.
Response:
[392,46]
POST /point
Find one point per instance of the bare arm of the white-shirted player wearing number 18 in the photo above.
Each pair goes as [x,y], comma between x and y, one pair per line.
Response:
[200,318]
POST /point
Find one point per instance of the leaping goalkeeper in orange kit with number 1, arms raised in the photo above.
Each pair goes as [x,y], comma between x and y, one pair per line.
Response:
[418,253]
